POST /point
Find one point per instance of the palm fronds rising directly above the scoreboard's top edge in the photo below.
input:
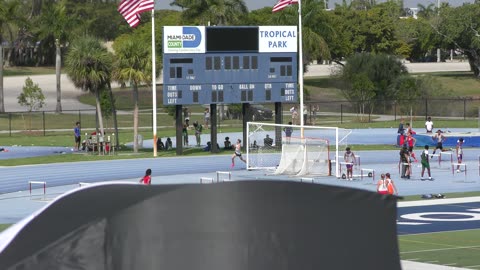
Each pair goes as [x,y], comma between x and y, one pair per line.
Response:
[216,12]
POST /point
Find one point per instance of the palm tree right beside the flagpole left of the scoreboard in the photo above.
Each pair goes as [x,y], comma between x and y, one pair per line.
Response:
[133,65]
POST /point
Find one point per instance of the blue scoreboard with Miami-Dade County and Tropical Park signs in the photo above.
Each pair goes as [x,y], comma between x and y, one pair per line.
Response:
[217,65]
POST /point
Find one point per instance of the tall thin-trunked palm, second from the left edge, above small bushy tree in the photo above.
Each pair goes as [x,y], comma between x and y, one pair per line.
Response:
[54,27]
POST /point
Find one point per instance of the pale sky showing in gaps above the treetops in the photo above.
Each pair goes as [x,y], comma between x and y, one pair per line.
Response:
[256,4]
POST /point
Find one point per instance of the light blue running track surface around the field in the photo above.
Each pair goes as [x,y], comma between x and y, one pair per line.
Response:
[16,203]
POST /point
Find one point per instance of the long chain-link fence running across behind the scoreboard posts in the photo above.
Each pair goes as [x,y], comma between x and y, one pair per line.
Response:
[333,112]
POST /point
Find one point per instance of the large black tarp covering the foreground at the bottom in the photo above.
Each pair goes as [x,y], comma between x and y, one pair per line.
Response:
[237,225]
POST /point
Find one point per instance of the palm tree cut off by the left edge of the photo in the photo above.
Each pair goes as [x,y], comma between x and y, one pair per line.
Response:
[9,17]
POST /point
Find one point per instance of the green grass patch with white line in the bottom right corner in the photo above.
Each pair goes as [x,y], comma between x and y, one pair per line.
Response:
[457,248]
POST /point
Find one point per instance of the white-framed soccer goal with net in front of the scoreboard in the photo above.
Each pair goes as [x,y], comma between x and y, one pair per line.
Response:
[309,150]
